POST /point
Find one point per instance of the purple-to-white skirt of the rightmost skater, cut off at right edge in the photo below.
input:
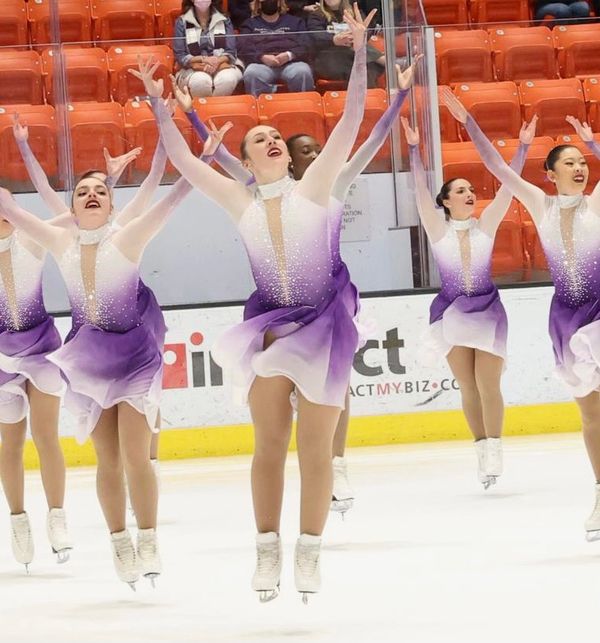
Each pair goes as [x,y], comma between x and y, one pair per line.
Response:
[575,335]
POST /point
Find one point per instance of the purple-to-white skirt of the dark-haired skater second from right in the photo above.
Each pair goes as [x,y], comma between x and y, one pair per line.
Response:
[473,321]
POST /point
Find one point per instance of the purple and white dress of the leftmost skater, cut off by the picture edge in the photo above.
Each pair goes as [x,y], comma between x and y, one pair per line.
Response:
[27,332]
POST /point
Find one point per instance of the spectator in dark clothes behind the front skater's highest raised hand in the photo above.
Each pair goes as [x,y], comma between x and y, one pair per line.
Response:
[333,41]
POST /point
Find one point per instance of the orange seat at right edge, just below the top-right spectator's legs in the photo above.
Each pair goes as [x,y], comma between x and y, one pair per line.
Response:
[578,48]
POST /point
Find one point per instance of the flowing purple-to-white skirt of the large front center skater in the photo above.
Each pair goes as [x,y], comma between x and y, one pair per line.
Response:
[314,348]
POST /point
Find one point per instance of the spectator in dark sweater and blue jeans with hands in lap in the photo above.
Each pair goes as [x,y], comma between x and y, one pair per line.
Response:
[275,48]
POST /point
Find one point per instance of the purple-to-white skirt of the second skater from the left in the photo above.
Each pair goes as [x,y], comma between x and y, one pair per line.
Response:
[103,368]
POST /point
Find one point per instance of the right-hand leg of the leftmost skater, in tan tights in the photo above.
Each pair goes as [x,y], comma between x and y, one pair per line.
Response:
[44,431]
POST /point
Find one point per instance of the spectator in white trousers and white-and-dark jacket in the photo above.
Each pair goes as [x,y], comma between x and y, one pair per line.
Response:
[205,49]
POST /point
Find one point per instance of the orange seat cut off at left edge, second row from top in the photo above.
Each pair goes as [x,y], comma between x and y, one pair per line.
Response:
[20,78]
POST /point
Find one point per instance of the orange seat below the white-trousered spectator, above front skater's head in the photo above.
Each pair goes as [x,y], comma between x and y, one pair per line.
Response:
[241,110]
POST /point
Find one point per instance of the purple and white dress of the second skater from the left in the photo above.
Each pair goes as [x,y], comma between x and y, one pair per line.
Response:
[110,355]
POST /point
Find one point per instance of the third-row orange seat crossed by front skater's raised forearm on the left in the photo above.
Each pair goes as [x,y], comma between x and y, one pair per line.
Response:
[141,131]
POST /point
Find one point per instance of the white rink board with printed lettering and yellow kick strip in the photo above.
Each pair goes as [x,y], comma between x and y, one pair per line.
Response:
[394,399]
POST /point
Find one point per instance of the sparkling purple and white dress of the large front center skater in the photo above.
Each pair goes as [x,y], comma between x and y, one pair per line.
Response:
[299,300]
